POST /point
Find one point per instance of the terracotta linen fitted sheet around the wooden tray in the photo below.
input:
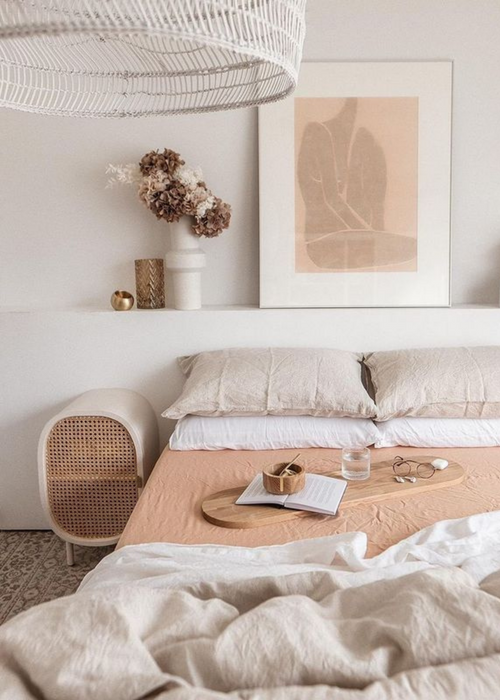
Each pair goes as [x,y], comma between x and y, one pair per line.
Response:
[169,509]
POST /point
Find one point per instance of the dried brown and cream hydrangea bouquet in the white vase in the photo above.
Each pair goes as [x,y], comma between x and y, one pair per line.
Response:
[171,189]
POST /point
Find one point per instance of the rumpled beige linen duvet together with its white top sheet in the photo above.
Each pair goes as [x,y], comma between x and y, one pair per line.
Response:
[307,620]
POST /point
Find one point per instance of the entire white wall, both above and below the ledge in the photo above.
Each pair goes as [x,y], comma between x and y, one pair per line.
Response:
[66,242]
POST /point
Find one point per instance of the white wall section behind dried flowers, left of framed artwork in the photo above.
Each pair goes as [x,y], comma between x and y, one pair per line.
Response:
[67,241]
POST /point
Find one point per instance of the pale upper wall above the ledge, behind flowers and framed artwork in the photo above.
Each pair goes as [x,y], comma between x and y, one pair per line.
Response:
[67,241]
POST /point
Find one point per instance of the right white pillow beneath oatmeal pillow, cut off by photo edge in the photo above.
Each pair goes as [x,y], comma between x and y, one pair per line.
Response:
[439,432]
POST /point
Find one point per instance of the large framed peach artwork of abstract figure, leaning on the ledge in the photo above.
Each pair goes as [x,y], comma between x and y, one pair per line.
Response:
[355,187]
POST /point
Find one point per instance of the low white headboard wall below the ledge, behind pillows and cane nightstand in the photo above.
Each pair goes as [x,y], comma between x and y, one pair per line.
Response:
[48,358]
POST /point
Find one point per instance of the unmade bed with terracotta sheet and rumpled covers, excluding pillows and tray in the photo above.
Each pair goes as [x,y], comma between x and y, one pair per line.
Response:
[364,606]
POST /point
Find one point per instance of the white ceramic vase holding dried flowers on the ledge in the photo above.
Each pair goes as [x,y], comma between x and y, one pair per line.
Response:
[185,261]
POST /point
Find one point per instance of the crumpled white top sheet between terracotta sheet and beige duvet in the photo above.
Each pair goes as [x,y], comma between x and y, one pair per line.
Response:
[472,542]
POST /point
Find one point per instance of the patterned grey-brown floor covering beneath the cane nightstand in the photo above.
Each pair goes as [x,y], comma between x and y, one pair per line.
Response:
[33,569]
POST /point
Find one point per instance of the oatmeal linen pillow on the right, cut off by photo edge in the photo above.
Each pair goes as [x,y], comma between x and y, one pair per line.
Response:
[436,382]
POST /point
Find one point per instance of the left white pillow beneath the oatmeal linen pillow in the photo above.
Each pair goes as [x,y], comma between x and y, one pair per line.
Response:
[270,432]
